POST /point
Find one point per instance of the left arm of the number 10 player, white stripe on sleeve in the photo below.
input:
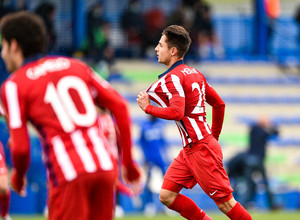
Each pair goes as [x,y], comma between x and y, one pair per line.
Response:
[14,109]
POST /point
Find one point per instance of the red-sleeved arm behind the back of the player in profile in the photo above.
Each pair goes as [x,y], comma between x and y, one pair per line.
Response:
[218,110]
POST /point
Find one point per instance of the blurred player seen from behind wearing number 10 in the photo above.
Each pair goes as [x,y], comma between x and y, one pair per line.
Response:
[57,95]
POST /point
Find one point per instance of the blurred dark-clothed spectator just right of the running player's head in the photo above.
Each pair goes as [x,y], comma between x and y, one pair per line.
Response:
[204,32]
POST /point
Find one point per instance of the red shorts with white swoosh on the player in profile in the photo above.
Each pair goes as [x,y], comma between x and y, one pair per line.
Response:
[202,164]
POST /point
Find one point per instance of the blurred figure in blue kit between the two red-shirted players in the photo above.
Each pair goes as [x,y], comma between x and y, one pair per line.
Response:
[154,146]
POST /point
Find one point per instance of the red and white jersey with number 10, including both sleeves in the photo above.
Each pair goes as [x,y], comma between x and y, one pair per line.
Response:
[58,95]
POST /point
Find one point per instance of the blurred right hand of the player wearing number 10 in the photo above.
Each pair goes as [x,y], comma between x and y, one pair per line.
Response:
[134,176]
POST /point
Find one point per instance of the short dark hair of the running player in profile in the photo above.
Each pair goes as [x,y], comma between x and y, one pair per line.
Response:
[177,36]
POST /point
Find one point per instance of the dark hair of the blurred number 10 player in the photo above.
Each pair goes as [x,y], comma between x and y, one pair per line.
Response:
[27,29]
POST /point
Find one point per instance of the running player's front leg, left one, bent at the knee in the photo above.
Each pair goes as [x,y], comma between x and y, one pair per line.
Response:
[177,177]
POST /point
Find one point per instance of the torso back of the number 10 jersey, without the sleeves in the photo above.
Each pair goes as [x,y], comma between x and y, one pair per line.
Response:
[55,94]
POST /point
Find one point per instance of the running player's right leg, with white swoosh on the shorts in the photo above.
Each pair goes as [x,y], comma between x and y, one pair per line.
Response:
[207,166]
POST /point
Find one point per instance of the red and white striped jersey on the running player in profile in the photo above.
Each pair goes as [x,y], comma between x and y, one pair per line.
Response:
[183,89]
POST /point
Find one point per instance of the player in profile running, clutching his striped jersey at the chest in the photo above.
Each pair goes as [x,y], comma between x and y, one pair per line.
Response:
[181,92]
